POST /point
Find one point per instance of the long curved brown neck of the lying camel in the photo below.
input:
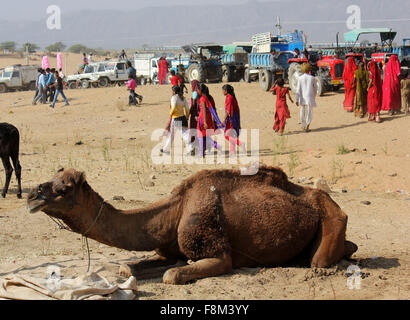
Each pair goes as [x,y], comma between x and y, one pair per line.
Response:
[137,230]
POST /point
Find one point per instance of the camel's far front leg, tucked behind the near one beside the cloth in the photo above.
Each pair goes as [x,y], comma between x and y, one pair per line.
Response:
[148,269]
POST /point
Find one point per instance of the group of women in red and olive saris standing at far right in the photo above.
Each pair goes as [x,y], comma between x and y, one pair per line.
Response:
[366,92]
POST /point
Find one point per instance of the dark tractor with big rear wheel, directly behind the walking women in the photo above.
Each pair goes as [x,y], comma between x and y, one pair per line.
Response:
[201,62]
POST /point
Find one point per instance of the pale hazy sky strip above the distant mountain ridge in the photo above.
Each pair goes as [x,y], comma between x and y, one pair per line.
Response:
[35,10]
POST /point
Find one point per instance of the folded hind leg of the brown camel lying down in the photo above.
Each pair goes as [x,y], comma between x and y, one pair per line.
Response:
[330,245]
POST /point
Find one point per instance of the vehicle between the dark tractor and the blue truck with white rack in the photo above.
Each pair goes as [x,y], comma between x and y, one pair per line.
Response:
[234,61]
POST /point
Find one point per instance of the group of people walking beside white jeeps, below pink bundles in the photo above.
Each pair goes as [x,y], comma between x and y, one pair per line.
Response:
[50,84]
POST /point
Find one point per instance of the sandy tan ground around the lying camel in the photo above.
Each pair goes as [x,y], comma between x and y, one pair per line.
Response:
[115,154]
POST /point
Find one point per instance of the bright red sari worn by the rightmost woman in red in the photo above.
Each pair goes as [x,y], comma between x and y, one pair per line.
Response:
[391,85]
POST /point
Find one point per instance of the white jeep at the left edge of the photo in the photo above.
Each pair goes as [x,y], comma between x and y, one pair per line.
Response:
[18,77]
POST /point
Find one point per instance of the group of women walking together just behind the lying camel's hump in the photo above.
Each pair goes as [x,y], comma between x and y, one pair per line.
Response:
[198,122]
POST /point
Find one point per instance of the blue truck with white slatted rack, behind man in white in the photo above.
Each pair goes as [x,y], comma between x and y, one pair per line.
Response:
[270,57]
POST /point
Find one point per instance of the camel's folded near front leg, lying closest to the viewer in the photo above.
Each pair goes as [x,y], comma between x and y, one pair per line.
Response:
[201,269]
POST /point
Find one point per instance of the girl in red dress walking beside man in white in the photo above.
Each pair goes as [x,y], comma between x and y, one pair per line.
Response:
[282,110]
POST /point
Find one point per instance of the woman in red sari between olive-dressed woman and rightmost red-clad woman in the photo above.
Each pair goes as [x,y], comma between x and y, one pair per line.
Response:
[374,95]
